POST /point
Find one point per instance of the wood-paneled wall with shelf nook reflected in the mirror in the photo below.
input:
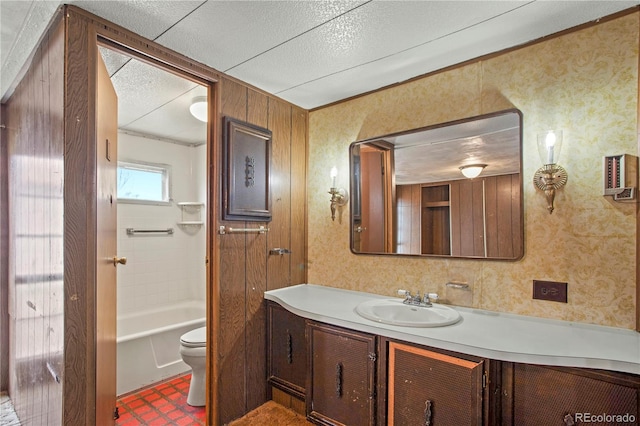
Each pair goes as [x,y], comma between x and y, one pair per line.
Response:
[465,217]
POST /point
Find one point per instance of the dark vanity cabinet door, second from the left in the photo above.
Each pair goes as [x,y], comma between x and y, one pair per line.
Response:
[342,364]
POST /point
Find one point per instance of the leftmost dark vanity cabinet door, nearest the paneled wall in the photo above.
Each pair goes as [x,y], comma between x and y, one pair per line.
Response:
[287,351]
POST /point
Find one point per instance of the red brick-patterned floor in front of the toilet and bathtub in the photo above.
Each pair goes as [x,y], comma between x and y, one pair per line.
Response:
[162,404]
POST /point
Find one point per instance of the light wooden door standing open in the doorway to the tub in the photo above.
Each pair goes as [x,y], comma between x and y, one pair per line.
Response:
[106,163]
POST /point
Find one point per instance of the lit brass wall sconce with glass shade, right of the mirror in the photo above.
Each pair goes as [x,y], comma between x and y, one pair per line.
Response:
[551,176]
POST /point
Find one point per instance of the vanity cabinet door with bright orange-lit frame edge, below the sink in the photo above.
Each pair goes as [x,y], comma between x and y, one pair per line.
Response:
[429,388]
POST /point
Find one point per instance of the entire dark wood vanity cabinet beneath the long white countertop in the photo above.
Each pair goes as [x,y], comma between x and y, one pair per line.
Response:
[339,376]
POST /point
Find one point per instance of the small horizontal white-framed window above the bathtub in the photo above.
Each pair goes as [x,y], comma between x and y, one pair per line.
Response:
[144,182]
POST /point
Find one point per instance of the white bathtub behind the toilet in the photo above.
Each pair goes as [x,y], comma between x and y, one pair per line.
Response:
[149,343]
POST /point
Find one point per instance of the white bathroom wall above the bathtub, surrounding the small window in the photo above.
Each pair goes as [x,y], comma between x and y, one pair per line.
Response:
[162,268]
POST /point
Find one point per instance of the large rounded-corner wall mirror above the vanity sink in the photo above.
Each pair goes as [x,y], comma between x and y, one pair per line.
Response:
[410,197]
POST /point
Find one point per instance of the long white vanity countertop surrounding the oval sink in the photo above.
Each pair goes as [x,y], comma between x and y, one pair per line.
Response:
[494,335]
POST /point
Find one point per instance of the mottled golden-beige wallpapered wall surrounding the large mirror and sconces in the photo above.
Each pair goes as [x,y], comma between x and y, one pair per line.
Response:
[584,83]
